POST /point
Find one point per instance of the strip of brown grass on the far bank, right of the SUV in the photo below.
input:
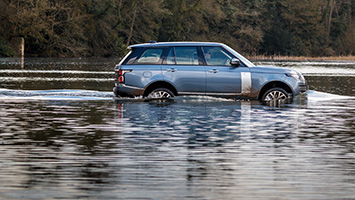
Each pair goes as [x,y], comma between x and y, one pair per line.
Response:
[301,58]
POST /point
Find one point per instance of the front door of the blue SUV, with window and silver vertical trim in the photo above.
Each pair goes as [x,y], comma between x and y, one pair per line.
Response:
[221,77]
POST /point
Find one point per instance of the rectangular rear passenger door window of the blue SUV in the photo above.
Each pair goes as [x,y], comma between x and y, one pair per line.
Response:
[186,56]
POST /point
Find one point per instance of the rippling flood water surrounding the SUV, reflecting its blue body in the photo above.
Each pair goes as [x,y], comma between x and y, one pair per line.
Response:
[64,136]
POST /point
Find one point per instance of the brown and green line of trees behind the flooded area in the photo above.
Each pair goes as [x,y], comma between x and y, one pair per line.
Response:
[104,28]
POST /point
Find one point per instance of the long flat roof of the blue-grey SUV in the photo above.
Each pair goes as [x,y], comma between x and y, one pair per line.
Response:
[167,44]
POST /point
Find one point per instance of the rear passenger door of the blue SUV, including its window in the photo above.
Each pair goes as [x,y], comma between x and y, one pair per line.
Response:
[184,69]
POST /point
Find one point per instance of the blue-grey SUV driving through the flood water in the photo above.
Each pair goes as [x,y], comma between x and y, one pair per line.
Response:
[164,70]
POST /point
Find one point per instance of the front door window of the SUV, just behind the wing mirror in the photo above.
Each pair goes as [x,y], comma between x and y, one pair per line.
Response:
[216,56]
